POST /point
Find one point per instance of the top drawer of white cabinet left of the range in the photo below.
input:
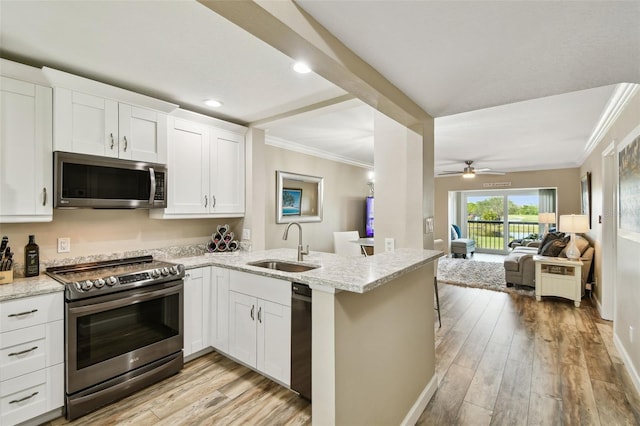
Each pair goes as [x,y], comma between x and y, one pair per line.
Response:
[29,311]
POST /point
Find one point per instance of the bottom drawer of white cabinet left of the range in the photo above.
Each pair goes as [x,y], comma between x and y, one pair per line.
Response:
[31,395]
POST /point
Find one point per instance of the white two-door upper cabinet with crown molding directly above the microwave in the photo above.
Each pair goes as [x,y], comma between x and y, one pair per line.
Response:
[98,119]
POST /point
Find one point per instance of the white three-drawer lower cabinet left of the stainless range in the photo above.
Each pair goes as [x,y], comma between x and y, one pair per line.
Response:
[31,357]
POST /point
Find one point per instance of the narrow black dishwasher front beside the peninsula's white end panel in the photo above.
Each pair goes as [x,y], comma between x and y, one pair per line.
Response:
[301,339]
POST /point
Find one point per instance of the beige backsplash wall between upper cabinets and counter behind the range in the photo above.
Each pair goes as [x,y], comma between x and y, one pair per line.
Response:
[109,231]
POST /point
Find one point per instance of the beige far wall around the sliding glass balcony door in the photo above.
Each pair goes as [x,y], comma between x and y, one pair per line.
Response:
[567,182]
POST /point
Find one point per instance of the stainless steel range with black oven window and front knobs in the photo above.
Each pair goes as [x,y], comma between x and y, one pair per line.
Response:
[123,328]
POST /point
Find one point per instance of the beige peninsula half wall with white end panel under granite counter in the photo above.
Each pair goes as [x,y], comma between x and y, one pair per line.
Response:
[381,344]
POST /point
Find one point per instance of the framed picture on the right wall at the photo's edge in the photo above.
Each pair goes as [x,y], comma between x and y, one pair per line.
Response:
[629,186]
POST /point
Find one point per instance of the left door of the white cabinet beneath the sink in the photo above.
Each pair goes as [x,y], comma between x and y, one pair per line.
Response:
[242,327]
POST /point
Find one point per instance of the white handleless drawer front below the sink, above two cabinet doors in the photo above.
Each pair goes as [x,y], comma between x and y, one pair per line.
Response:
[267,288]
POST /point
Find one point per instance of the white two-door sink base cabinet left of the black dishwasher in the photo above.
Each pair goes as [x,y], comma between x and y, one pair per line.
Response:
[260,323]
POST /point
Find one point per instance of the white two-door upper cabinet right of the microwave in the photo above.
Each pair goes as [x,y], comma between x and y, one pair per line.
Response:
[206,169]
